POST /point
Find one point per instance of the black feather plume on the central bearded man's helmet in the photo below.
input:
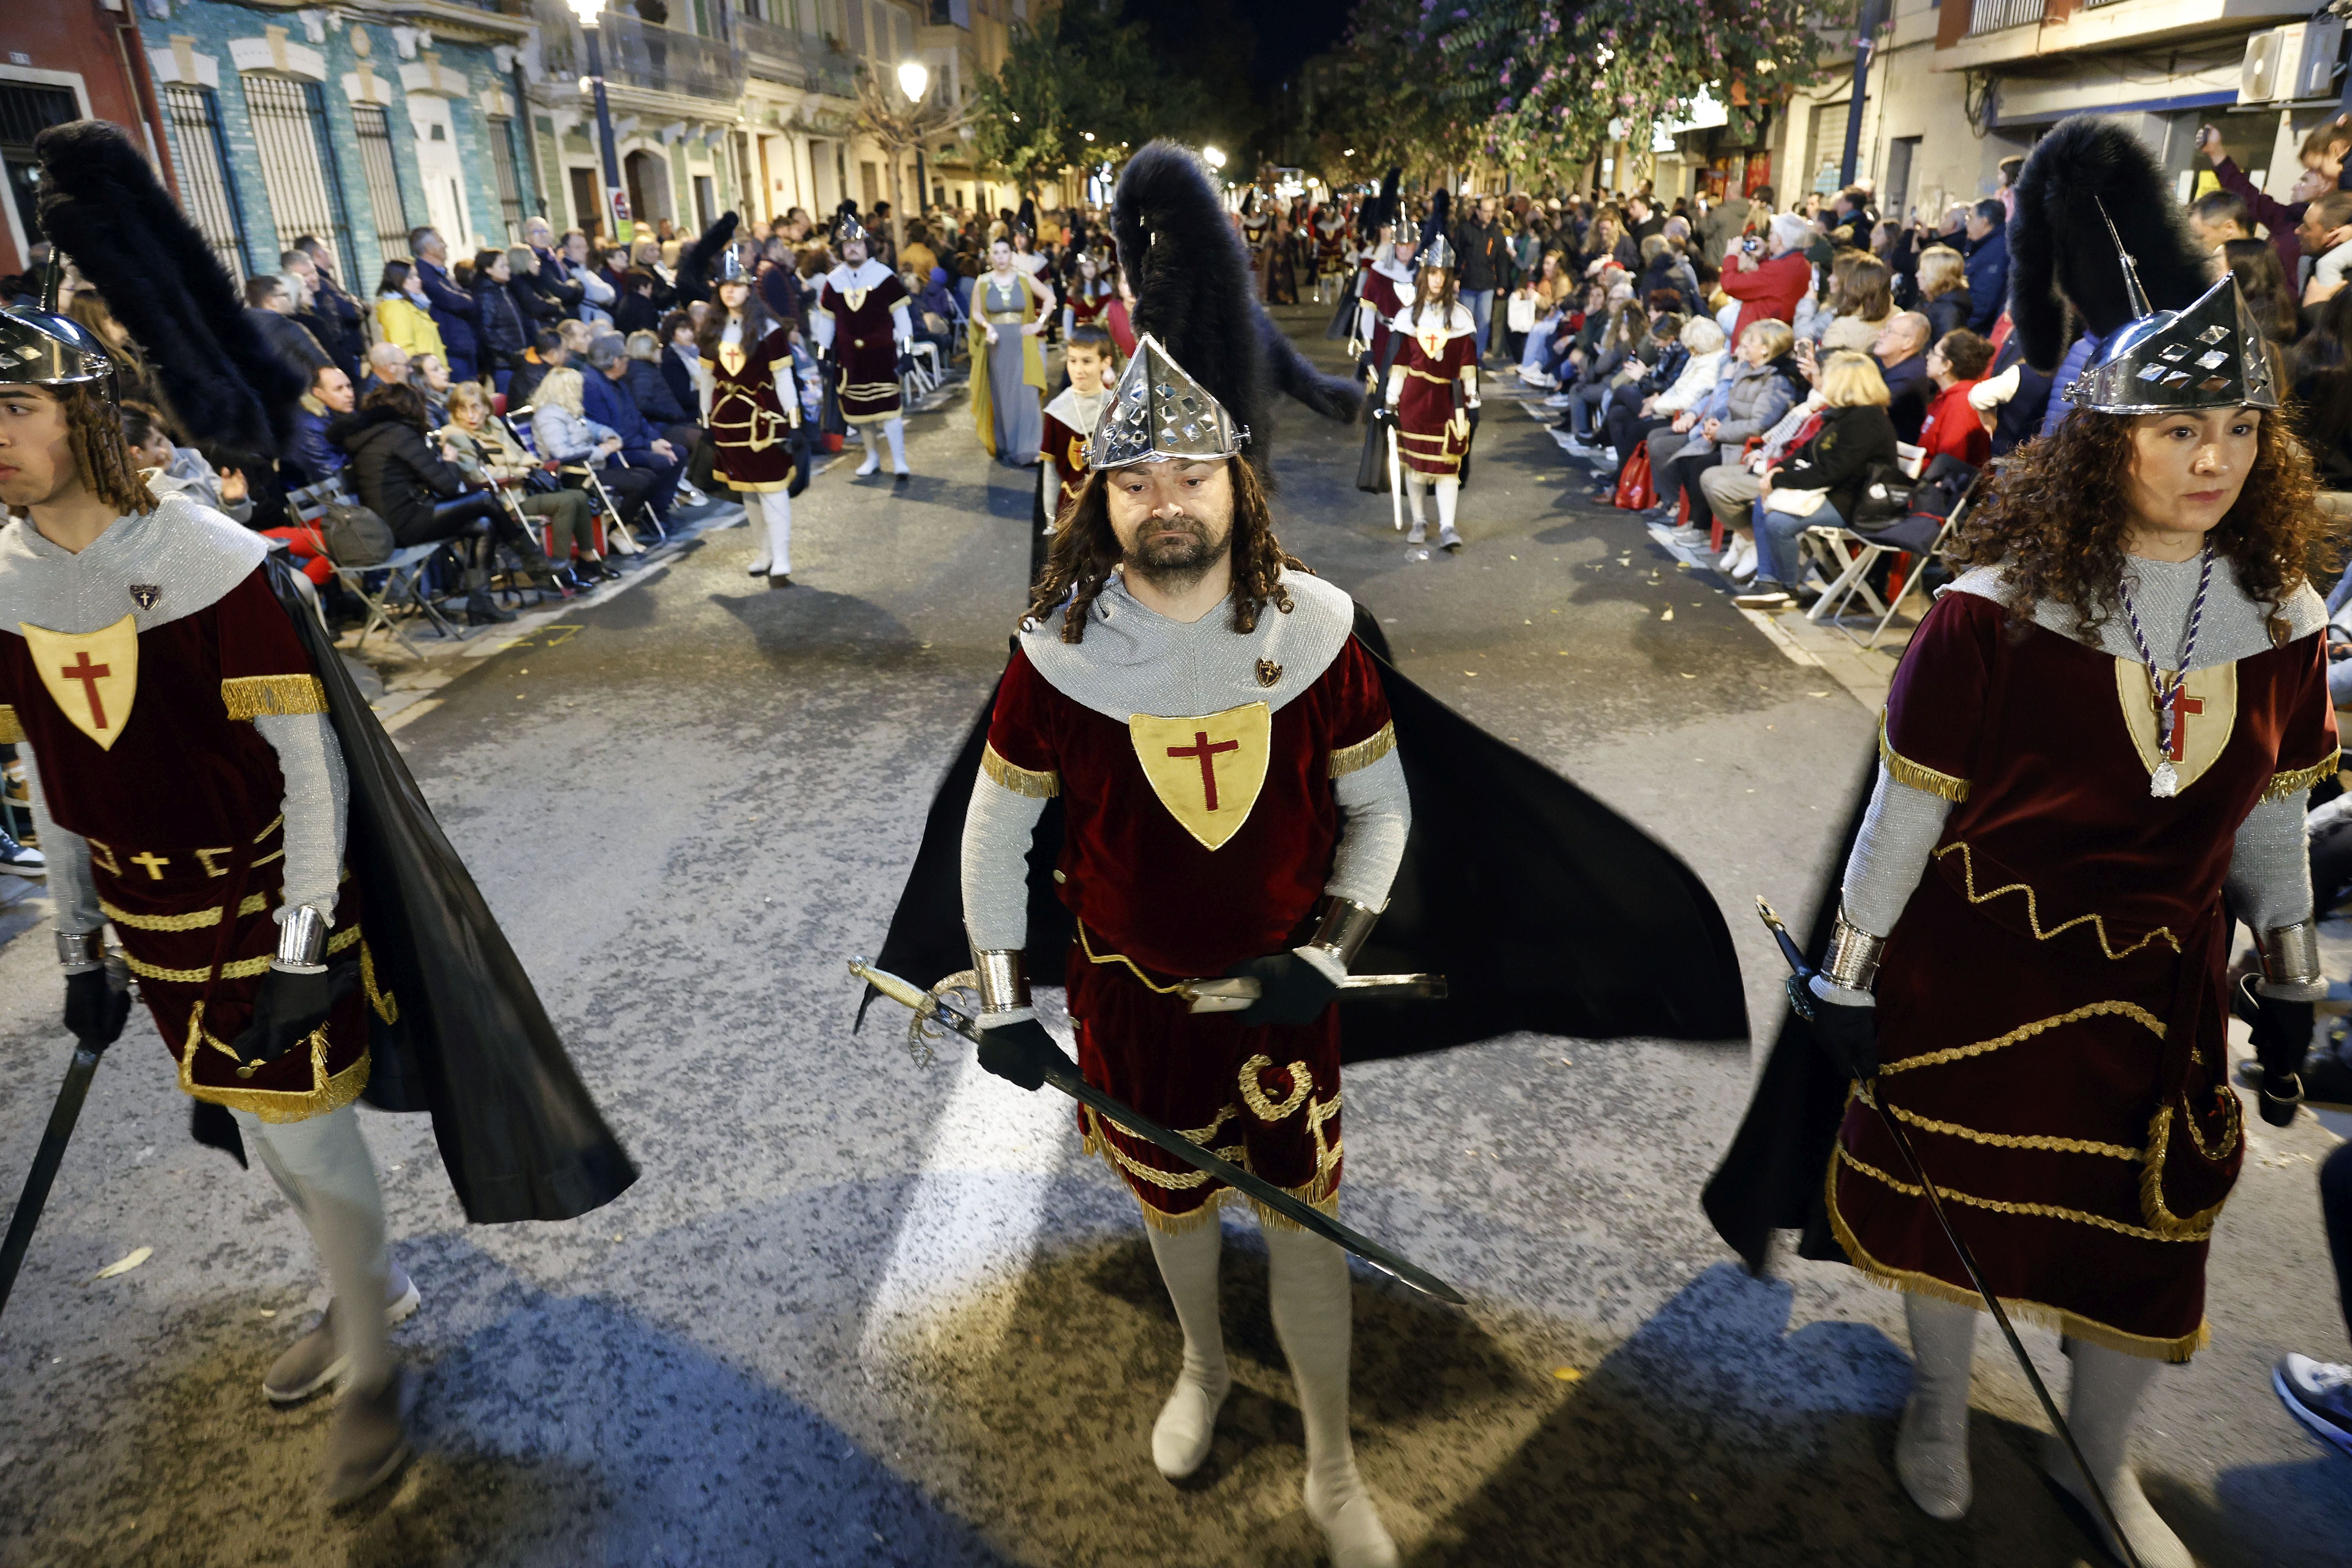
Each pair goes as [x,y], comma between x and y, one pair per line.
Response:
[1196,295]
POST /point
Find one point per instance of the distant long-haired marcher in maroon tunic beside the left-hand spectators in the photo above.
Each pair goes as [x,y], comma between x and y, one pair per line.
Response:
[751,408]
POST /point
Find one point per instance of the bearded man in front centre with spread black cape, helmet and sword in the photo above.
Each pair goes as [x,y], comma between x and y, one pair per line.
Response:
[1201,765]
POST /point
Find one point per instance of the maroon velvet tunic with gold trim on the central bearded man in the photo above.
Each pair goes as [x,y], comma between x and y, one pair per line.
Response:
[1158,906]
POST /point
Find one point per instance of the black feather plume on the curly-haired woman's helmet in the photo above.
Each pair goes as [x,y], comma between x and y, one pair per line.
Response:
[2080,177]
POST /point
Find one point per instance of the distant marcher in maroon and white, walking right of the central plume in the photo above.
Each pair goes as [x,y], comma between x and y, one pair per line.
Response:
[1431,403]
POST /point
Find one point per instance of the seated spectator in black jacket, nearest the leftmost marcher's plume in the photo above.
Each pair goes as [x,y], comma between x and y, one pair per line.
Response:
[425,497]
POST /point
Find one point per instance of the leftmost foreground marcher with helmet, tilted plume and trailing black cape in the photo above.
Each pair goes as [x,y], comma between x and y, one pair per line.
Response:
[211,784]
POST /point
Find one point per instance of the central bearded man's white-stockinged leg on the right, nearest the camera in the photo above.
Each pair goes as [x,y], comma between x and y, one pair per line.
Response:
[1309,1294]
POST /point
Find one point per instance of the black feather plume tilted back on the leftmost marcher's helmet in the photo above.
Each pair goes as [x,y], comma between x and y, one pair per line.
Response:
[131,241]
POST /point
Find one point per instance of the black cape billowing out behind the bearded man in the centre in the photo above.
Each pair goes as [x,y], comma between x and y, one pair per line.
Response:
[1542,906]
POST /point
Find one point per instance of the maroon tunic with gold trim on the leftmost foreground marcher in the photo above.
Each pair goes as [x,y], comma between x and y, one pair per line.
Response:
[182,815]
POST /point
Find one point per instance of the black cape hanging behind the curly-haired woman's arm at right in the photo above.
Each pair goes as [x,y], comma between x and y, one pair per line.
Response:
[1779,1162]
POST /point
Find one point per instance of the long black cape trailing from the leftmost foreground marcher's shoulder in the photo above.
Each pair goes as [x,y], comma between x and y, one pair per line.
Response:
[472,1045]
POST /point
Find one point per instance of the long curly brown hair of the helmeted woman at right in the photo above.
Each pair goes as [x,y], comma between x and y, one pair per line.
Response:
[2057,514]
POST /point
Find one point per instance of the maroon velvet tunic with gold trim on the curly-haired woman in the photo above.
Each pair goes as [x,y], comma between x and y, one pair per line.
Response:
[2052,1007]
